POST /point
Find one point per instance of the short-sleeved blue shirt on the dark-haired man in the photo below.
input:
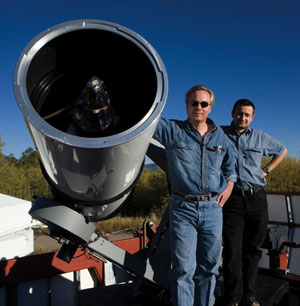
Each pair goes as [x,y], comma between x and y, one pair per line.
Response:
[250,147]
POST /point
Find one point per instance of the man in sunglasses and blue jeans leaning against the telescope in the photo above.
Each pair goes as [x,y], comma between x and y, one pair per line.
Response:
[201,175]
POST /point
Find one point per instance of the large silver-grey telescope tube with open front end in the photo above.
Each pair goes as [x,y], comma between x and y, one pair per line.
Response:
[91,140]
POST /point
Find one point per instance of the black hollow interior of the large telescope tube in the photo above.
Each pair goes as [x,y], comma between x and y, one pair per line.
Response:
[62,67]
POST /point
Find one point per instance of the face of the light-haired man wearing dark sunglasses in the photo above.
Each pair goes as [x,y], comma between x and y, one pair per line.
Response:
[198,114]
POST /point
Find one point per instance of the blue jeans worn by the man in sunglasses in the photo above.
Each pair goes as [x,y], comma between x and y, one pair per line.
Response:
[196,243]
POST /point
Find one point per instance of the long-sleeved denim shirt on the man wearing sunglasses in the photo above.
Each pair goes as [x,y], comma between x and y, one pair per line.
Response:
[196,165]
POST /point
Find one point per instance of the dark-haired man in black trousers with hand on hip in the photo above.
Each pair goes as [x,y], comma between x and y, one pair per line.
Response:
[245,215]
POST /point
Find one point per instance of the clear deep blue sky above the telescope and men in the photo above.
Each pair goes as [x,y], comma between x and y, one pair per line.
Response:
[238,48]
